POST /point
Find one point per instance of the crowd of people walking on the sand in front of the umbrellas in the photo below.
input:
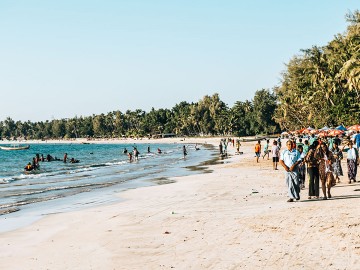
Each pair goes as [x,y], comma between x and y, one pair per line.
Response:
[319,157]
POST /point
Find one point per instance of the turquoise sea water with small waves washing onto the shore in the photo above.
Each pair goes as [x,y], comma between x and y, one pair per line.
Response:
[103,171]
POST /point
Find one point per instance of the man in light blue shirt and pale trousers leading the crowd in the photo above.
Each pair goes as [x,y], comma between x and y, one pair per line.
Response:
[289,159]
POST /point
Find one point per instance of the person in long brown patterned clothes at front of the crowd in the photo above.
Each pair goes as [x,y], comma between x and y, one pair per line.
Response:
[326,159]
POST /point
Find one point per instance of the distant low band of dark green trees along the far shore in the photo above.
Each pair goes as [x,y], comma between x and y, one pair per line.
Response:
[208,116]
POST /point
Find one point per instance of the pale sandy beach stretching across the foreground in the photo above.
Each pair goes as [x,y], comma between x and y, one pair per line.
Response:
[235,217]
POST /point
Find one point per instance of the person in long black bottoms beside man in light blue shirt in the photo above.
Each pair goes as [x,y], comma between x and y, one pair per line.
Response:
[313,171]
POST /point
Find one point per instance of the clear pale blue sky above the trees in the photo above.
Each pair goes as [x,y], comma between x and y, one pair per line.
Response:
[61,59]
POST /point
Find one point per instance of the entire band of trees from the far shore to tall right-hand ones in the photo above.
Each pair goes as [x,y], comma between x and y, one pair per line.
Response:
[321,86]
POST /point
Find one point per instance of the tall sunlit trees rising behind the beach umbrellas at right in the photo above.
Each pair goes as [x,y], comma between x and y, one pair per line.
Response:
[322,86]
